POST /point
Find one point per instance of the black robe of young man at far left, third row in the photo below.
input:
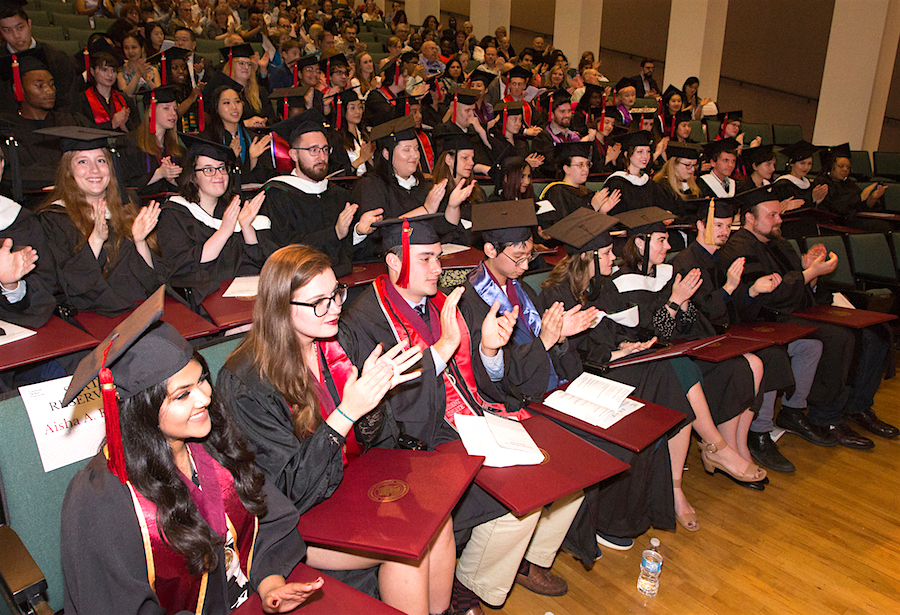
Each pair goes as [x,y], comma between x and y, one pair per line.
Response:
[39,154]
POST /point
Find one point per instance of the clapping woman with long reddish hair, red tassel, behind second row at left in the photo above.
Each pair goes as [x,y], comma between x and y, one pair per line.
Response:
[151,153]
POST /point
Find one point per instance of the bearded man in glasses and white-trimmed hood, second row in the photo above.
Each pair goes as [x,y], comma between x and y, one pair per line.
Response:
[307,207]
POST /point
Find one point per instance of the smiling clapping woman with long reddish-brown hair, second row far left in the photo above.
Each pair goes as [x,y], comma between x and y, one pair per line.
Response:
[100,245]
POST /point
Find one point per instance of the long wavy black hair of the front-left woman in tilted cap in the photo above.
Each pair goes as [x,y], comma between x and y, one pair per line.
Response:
[152,471]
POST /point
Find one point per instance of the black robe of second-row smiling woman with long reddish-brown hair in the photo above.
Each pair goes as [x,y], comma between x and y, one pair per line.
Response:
[95,284]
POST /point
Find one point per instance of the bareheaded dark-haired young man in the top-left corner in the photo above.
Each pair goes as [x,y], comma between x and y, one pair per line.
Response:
[15,30]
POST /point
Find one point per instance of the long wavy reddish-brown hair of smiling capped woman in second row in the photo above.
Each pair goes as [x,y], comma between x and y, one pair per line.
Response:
[121,213]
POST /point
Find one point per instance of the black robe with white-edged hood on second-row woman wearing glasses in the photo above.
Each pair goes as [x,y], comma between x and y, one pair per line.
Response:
[183,230]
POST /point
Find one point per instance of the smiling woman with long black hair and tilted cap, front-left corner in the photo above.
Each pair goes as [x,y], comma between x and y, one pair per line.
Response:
[172,516]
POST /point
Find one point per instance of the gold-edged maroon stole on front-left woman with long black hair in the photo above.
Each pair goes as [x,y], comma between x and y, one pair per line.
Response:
[221,507]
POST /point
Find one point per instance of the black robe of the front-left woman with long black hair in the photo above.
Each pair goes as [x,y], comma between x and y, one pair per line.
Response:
[103,557]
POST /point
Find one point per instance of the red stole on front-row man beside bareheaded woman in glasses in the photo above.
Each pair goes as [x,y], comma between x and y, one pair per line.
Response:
[459,378]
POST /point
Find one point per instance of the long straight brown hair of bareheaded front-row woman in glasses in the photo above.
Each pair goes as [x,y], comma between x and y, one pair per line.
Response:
[272,342]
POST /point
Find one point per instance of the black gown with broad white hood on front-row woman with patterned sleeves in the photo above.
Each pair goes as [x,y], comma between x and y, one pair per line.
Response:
[728,385]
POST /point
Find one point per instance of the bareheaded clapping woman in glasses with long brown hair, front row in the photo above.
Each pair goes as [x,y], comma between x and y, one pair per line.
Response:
[307,412]
